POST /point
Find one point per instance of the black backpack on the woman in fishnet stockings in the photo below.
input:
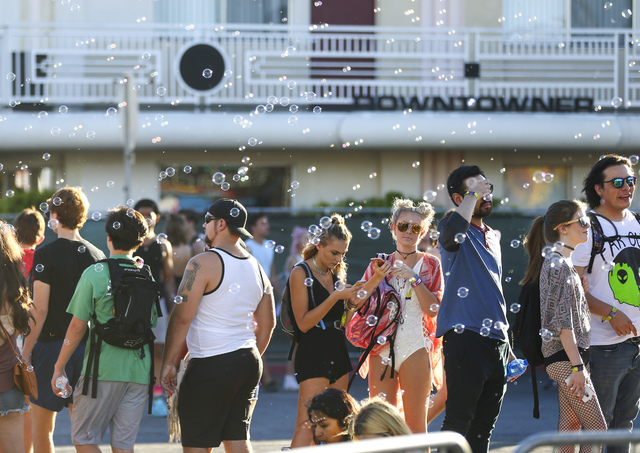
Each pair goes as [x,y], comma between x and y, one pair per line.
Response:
[526,333]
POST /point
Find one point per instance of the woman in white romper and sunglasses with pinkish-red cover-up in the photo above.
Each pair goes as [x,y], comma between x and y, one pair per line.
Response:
[417,276]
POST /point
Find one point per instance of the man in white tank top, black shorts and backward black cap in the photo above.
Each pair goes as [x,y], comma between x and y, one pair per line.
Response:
[225,312]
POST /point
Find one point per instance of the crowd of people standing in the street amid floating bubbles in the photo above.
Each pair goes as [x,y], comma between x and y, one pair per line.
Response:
[448,350]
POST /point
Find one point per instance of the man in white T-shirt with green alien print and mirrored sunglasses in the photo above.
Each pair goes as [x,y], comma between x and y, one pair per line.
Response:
[610,260]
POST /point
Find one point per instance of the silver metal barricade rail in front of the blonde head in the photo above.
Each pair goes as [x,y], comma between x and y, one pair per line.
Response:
[445,442]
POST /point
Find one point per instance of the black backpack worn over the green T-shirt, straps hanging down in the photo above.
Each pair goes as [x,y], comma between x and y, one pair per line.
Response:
[135,294]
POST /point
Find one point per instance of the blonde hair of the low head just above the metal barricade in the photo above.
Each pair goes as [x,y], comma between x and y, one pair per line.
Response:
[378,418]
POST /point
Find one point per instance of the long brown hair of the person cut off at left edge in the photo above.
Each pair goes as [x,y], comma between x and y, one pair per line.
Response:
[14,292]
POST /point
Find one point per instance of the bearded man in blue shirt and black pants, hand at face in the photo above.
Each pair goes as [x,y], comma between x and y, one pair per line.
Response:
[472,318]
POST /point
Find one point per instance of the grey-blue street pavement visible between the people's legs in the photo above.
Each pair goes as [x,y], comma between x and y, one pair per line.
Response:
[274,419]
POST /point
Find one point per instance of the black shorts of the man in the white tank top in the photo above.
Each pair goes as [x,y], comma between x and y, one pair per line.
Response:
[217,396]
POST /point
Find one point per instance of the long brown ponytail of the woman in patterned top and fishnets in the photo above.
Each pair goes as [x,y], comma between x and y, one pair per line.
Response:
[543,231]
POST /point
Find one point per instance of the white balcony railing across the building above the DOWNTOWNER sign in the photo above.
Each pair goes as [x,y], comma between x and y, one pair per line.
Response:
[80,65]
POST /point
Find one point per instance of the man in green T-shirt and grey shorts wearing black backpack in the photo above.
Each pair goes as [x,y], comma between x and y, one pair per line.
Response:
[122,374]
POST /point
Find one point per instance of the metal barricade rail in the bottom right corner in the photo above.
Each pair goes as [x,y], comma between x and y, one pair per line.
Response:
[594,438]
